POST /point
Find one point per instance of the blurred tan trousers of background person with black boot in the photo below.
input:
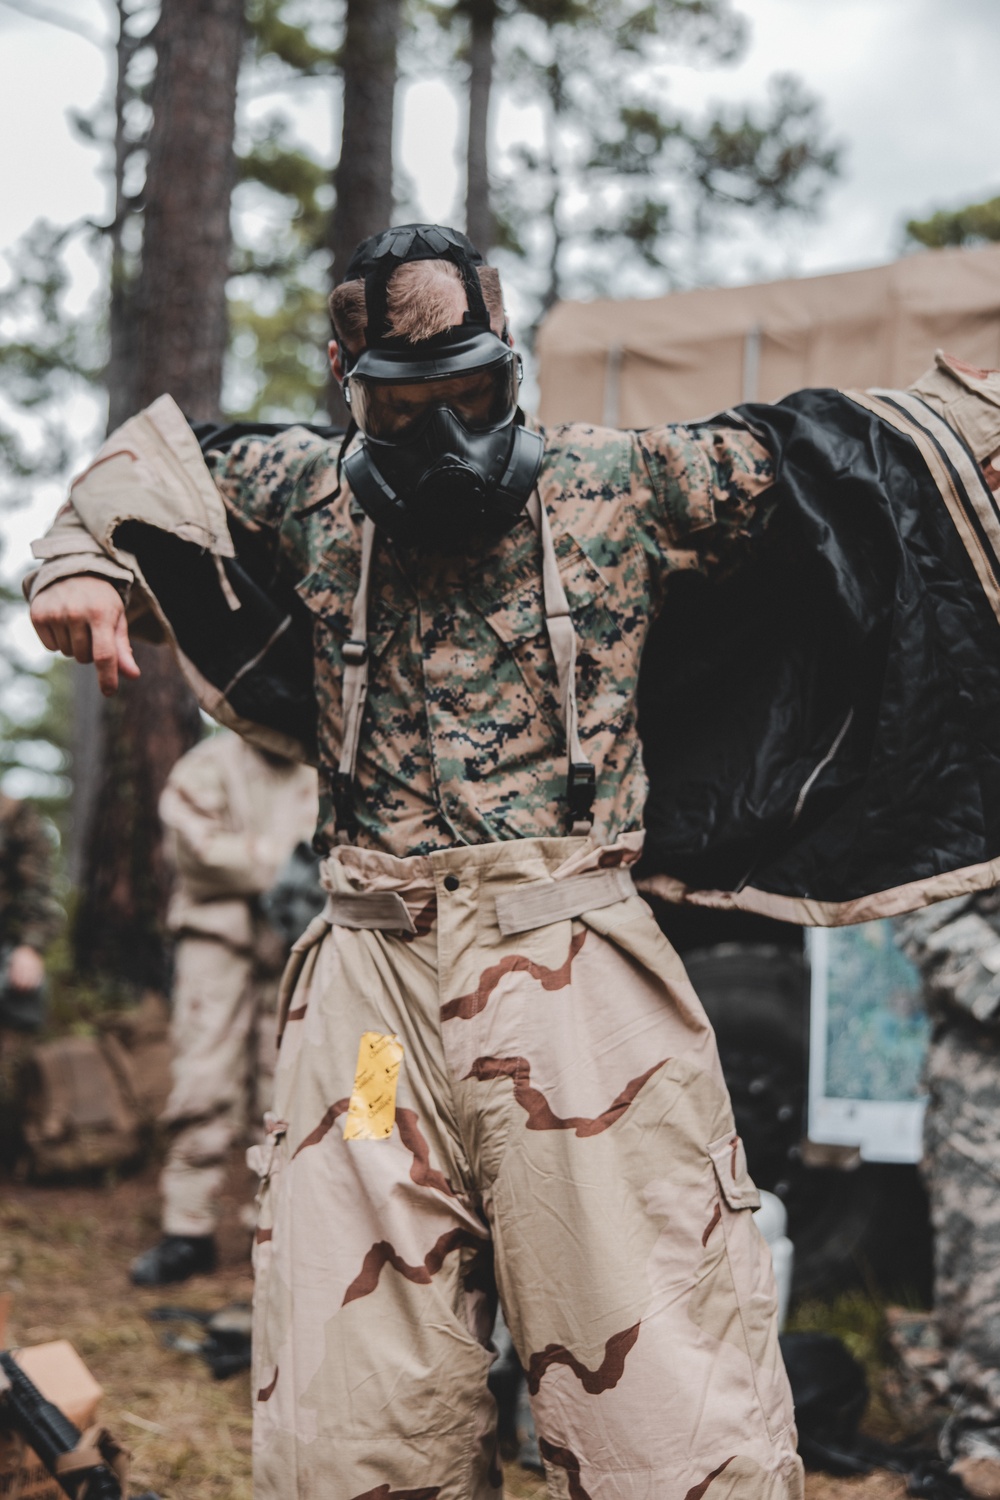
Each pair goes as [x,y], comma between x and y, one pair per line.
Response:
[223,1043]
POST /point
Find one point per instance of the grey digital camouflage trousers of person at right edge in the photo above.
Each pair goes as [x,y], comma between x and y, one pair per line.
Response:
[962,1148]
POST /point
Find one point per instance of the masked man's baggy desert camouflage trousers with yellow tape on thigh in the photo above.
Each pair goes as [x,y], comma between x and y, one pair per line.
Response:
[461,1112]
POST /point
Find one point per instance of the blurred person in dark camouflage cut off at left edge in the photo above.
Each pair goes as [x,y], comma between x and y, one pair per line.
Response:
[29,916]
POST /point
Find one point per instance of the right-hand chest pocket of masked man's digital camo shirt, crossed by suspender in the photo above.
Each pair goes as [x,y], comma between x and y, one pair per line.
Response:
[605,673]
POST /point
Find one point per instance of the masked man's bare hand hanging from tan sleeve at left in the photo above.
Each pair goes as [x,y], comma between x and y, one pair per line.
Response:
[83,617]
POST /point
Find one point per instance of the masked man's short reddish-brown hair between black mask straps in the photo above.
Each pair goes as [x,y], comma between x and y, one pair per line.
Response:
[419,302]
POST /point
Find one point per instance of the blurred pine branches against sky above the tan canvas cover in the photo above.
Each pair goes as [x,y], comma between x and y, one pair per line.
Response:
[623,181]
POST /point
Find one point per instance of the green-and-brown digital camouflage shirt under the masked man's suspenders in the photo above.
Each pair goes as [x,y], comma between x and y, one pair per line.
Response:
[463,740]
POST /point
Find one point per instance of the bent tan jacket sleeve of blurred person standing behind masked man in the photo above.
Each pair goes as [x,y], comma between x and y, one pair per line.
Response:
[215,857]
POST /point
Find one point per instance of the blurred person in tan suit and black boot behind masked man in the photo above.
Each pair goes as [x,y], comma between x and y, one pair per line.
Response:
[233,817]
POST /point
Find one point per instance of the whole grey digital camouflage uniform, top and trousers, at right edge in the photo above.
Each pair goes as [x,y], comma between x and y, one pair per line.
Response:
[957,946]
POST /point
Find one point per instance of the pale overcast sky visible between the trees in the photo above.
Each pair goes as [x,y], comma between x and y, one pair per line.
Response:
[909,88]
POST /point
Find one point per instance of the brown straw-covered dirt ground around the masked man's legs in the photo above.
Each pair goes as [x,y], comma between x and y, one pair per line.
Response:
[64,1256]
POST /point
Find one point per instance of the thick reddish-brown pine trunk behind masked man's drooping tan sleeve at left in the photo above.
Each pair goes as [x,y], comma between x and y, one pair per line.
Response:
[179,323]
